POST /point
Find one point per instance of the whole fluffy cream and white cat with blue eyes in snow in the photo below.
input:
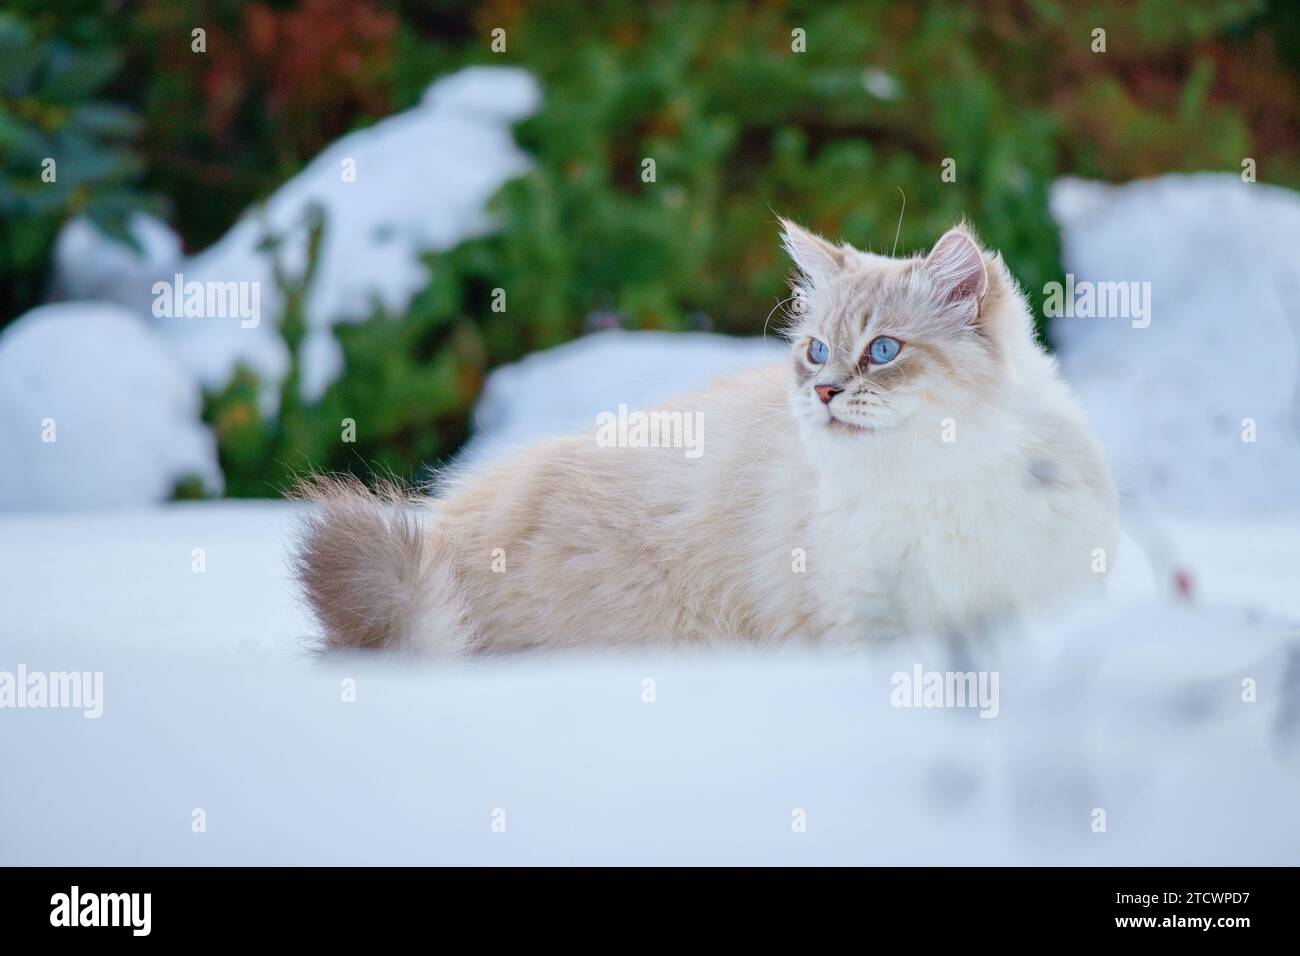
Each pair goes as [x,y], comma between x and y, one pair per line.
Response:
[918,468]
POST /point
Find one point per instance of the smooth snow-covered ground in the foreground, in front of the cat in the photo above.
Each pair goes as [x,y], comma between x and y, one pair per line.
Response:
[211,704]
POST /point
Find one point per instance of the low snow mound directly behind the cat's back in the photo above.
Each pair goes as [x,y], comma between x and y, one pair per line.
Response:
[562,391]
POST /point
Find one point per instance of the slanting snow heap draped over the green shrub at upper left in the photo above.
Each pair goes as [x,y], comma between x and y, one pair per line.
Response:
[411,184]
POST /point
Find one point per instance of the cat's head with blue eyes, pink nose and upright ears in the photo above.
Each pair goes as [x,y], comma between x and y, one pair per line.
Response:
[882,344]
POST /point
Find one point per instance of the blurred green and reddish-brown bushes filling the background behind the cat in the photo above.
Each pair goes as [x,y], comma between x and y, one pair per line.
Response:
[740,127]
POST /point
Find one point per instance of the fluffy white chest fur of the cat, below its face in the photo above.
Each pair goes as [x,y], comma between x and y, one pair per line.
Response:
[950,538]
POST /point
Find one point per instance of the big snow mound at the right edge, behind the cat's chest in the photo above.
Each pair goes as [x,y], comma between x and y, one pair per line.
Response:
[1199,409]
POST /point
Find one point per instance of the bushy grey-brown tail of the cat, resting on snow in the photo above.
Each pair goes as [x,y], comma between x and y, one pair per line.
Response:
[375,573]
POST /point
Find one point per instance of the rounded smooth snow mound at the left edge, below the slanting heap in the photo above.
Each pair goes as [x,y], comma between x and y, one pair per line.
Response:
[94,412]
